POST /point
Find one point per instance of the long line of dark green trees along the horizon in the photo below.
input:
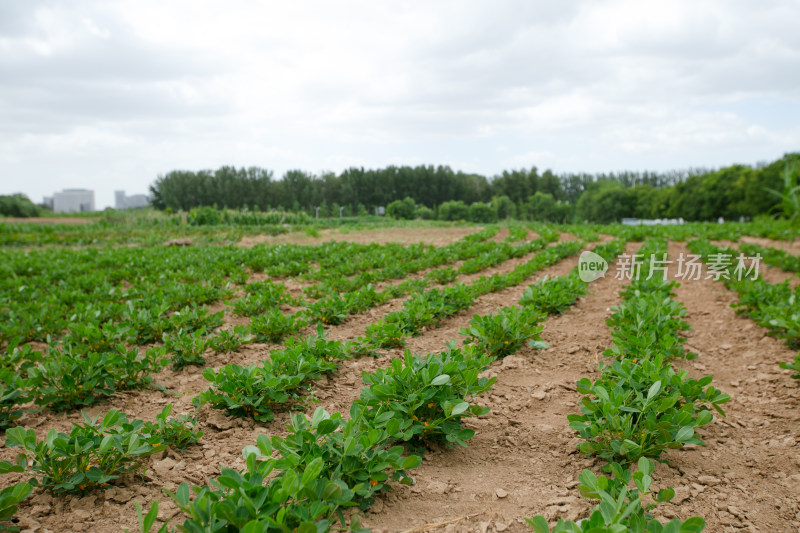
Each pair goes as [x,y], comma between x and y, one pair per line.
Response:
[441,192]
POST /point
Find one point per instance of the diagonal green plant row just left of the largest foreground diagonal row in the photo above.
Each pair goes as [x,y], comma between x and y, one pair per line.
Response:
[285,379]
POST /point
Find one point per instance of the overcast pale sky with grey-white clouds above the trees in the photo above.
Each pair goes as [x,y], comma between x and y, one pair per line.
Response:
[107,94]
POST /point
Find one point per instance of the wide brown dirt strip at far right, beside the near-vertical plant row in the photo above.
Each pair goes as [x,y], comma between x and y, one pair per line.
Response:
[747,477]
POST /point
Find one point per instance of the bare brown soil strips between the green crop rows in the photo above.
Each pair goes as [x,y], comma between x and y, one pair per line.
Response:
[522,460]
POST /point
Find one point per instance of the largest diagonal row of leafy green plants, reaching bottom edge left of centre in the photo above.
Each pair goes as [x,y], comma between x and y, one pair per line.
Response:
[327,466]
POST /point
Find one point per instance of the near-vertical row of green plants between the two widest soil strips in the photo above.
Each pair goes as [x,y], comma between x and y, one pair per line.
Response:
[639,407]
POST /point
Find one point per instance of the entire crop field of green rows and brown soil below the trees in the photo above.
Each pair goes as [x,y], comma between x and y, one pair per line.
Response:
[409,377]
